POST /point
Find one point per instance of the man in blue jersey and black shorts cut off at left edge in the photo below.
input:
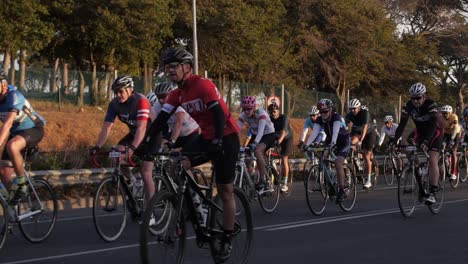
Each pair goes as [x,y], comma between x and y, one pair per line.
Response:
[22,128]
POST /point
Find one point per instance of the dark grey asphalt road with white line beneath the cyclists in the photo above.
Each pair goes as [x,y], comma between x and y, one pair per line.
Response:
[374,232]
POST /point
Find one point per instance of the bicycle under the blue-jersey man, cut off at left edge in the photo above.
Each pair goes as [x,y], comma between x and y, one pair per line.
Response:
[36,213]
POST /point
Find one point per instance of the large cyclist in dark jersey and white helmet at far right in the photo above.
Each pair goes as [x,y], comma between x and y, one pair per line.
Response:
[428,133]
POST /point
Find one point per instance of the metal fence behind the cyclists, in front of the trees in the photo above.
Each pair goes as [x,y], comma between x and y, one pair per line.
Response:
[294,101]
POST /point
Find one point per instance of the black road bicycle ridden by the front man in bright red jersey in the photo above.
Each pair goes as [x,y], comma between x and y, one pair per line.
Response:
[203,208]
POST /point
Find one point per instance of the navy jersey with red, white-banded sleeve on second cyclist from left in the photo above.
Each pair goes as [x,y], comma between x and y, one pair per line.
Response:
[136,108]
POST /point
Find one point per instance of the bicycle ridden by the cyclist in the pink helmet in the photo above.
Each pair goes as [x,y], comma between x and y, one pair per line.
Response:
[247,175]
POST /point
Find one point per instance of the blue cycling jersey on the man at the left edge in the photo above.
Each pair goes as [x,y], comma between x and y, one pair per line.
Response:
[26,117]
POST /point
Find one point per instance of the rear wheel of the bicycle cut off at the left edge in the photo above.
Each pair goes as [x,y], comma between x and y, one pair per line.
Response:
[41,204]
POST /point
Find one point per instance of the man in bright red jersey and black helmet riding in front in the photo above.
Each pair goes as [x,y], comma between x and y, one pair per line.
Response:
[220,133]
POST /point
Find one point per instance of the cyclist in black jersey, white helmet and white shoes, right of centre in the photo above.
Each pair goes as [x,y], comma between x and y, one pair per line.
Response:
[362,134]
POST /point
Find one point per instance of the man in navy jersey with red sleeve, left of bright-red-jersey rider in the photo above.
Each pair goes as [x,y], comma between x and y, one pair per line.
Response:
[132,109]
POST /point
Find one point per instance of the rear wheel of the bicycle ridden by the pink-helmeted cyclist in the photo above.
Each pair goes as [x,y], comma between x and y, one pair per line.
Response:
[269,196]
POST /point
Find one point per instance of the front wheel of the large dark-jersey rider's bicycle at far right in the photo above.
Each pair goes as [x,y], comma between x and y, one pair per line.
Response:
[408,191]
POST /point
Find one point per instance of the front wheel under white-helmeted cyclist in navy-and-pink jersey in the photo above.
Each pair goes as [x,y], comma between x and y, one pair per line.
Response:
[316,191]
